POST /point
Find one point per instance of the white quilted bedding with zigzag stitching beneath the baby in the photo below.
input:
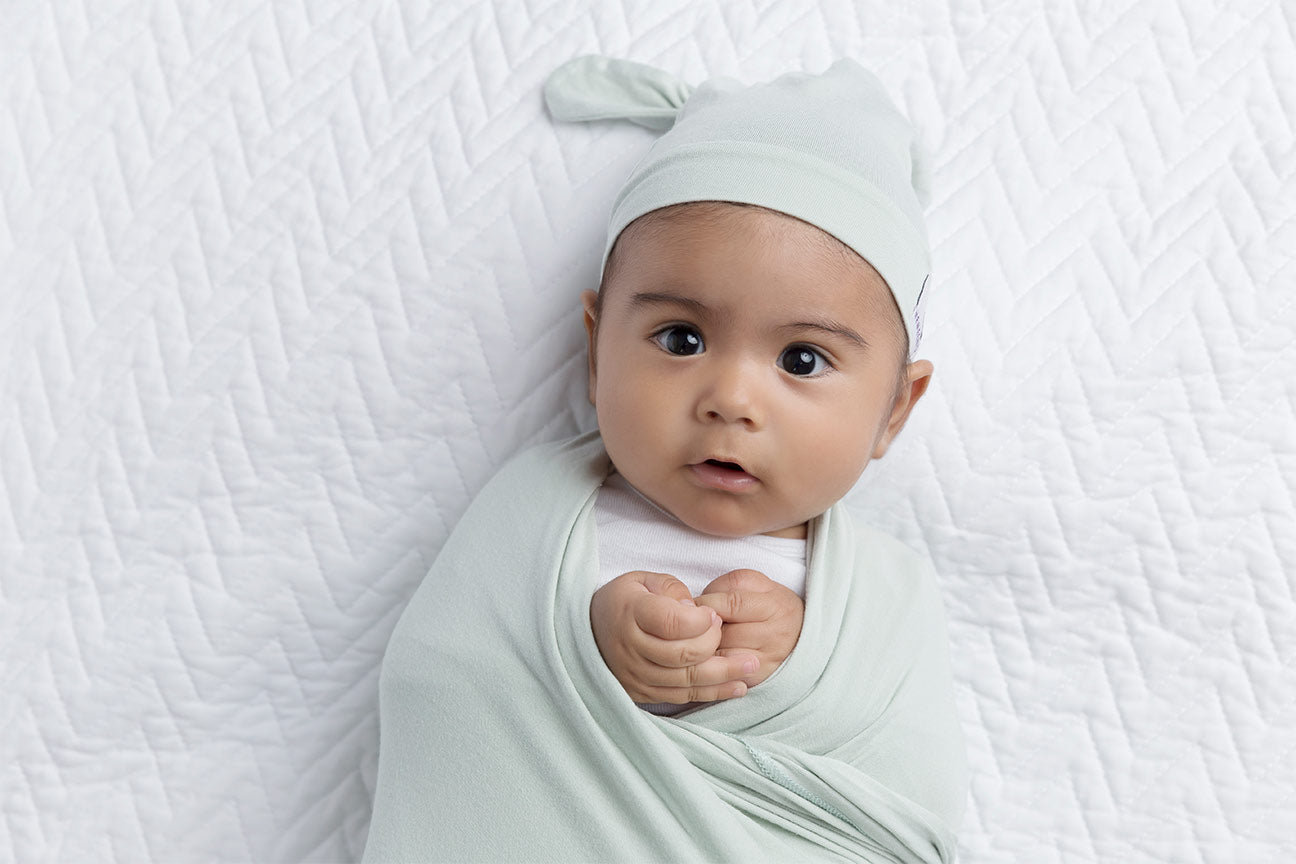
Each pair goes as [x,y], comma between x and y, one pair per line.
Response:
[283,284]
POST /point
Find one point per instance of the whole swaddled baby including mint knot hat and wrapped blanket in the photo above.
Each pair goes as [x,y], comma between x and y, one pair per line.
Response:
[752,348]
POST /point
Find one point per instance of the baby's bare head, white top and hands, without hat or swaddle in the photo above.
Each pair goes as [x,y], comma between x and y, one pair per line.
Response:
[746,366]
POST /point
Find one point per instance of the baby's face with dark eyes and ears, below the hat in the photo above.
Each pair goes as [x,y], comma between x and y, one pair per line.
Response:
[743,371]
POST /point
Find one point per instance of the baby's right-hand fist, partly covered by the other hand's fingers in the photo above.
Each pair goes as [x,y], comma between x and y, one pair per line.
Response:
[761,617]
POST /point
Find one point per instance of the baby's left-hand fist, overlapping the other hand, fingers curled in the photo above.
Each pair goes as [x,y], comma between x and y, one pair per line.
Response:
[662,646]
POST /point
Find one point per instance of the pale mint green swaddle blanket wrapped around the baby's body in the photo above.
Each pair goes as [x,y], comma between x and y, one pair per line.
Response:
[505,736]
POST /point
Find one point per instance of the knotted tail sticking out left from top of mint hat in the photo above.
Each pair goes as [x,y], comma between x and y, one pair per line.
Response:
[606,89]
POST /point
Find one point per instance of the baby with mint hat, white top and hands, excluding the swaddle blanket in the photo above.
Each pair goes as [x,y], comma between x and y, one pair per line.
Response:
[746,363]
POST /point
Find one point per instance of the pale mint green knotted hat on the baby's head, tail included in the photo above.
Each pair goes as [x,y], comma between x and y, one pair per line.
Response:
[830,150]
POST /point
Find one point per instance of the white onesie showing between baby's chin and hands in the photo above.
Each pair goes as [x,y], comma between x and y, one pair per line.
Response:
[636,534]
